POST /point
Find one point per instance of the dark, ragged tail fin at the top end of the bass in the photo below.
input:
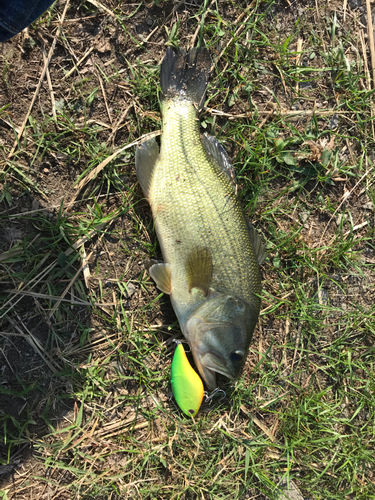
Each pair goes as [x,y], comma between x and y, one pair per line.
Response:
[185,74]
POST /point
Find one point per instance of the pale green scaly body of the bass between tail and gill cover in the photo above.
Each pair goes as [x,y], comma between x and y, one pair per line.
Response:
[199,214]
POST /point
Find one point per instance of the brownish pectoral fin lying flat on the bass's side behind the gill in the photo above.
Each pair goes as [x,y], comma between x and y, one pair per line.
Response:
[199,269]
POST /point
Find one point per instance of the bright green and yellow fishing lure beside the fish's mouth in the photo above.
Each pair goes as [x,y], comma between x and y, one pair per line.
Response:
[187,385]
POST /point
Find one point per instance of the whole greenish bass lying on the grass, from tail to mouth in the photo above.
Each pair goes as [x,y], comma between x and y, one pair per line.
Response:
[210,249]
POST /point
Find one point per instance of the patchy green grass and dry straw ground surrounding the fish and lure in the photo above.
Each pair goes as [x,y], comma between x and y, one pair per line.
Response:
[85,402]
